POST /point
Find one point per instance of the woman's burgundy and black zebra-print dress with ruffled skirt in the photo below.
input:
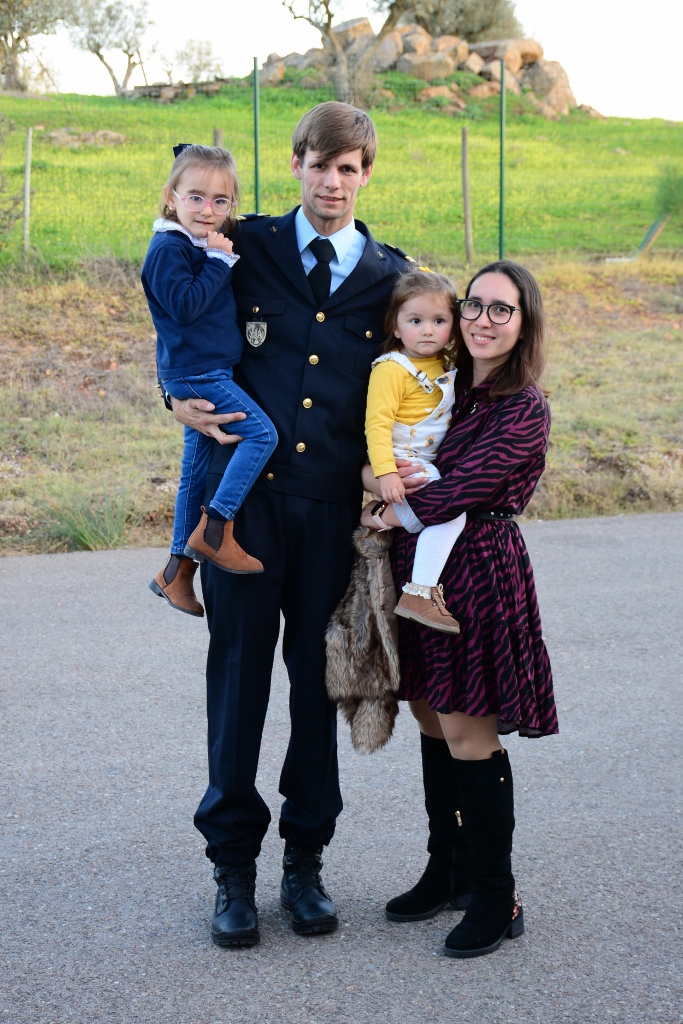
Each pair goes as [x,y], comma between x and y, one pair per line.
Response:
[493,457]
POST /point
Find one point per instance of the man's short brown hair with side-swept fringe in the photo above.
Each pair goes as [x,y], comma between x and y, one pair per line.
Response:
[333,129]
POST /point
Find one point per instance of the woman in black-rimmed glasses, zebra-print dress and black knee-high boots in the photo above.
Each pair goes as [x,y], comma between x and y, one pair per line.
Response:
[495,676]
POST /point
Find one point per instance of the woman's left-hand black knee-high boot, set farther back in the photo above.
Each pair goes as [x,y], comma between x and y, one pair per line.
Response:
[446,880]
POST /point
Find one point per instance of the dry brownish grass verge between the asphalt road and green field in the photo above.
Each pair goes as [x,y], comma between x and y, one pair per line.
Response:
[81,414]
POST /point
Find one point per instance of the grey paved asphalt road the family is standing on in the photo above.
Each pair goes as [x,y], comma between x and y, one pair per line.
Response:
[106,895]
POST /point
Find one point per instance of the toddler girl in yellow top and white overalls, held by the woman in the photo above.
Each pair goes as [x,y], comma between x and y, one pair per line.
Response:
[410,399]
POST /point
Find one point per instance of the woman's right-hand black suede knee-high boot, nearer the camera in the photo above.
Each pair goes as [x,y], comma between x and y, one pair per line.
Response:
[495,911]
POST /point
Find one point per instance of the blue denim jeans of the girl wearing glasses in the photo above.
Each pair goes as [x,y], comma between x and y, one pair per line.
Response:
[250,456]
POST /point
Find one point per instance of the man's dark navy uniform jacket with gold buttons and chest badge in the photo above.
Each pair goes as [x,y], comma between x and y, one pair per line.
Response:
[311,374]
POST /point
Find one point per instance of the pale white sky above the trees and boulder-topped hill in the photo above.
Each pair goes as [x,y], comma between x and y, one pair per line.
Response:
[613,54]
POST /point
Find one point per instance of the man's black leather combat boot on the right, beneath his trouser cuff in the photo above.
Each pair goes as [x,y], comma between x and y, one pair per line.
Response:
[304,894]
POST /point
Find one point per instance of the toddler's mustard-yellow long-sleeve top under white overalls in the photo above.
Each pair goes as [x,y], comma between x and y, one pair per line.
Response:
[394,395]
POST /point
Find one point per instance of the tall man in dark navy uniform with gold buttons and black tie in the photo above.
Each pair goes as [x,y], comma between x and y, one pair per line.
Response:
[312,290]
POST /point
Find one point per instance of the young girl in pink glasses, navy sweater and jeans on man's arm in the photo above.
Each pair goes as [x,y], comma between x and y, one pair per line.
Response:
[187,281]
